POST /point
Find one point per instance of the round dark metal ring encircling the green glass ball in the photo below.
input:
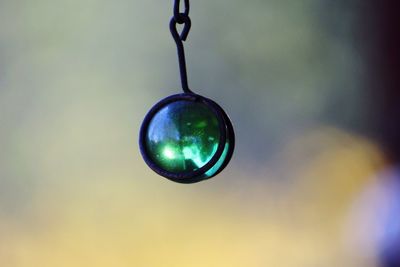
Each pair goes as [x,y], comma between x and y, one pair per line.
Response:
[226,134]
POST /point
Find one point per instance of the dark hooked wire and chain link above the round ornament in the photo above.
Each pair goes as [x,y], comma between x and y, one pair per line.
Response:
[183,19]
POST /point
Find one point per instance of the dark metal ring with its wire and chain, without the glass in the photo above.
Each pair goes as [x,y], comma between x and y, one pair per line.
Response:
[225,125]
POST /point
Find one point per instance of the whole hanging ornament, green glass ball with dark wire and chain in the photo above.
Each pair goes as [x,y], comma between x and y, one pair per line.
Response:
[186,137]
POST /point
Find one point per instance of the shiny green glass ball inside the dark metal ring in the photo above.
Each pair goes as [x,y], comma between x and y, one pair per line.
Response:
[183,136]
